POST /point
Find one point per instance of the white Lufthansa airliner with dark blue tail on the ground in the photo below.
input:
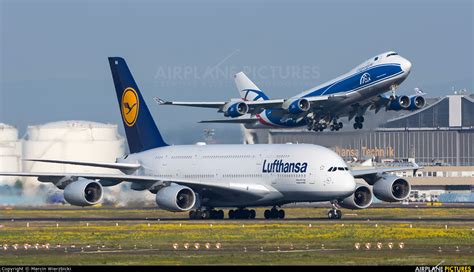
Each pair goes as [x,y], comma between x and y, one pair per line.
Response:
[200,179]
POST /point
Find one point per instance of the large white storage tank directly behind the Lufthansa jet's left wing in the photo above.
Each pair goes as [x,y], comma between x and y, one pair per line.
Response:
[70,140]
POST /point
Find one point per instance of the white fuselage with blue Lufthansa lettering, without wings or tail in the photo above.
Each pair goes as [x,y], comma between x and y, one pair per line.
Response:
[276,174]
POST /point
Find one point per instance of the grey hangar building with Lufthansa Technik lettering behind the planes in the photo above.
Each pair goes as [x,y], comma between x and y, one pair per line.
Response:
[439,137]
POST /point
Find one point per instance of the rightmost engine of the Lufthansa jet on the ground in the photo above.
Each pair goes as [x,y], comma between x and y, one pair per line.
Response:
[391,188]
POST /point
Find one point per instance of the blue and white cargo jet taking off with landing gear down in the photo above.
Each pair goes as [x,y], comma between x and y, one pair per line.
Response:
[349,95]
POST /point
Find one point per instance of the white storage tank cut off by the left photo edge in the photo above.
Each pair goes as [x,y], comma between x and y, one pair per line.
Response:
[10,153]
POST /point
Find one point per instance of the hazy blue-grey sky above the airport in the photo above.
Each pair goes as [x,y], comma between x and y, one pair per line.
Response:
[54,53]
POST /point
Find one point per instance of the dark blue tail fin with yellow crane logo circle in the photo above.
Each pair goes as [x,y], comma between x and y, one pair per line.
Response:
[142,133]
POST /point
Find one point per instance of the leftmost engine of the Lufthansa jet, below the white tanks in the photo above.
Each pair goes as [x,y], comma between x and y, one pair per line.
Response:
[83,192]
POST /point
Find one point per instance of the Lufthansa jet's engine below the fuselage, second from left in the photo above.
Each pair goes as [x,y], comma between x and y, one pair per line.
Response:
[176,198]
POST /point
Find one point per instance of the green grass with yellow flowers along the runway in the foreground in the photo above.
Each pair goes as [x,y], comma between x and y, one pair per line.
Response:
[302,244]
